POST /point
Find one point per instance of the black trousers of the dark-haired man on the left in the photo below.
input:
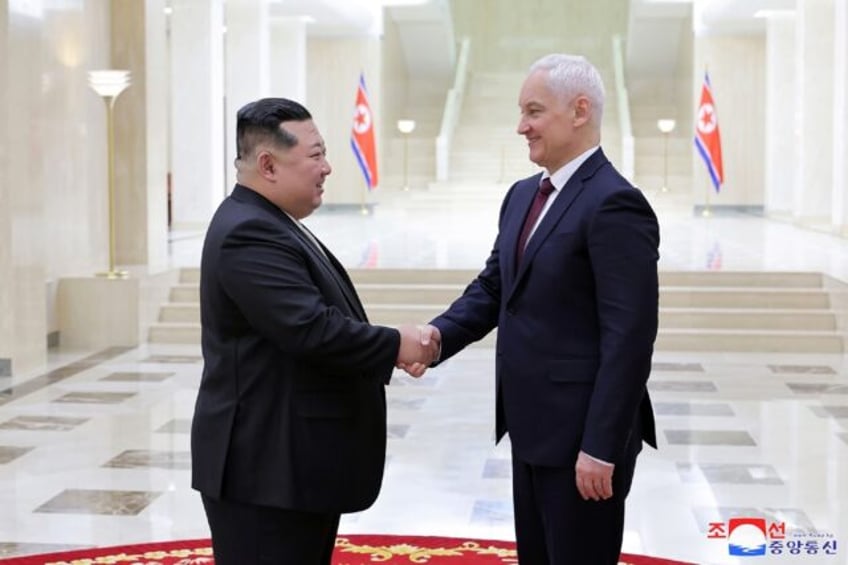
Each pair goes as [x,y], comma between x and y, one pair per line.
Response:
[247,534]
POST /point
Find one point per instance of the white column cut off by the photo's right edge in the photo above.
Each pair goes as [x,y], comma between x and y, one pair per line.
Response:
[840,120]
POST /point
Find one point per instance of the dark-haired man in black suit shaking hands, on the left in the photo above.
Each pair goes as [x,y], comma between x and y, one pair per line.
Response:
[289,427]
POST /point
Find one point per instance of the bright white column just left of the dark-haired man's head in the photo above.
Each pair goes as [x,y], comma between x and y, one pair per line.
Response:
[197,111]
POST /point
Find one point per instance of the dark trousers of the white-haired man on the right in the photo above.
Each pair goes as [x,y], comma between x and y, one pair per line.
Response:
[555,526]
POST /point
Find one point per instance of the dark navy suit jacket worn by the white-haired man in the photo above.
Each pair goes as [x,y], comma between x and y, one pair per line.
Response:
[576,320]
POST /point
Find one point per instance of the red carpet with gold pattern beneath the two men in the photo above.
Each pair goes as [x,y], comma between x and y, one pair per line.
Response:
[350,550]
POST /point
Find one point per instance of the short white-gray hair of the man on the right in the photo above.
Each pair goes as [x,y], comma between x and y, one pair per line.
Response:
[573,75]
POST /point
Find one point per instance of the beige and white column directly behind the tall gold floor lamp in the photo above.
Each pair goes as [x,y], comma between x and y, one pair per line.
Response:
[141,121]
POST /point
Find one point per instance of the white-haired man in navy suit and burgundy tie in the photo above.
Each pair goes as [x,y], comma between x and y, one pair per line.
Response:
[571,285]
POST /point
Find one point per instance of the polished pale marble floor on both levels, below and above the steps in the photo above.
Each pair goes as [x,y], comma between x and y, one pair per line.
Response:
[94,448]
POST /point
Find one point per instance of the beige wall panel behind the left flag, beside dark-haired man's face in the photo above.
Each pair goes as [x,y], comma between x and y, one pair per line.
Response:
[333,76]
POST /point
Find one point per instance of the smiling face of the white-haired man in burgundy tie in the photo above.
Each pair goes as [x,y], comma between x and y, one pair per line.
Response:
[554,125]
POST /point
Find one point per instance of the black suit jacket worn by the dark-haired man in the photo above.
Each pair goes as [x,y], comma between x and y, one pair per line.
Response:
[291,408]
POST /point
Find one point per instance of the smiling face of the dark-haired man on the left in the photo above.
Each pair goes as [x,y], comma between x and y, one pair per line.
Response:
[297,174]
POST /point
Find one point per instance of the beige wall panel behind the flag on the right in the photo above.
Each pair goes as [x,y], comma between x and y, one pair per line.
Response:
[736,65]
